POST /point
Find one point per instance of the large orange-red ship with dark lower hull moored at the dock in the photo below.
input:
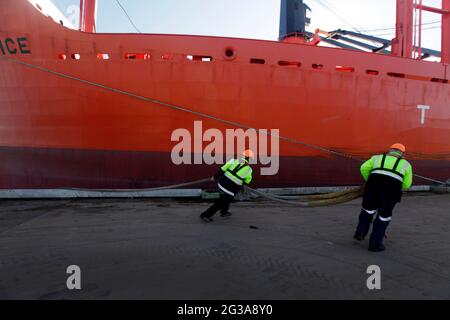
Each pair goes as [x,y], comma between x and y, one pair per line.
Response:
[81,109]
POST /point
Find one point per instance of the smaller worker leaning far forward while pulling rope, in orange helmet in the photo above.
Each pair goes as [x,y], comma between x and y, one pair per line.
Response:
[231,177]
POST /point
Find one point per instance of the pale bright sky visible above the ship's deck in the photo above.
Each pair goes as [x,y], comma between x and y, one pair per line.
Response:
[256,19]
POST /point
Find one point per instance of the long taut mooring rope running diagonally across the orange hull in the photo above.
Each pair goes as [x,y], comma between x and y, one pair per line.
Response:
[197,113]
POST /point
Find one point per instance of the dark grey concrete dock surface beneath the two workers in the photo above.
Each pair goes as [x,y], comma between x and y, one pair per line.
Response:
[160,249]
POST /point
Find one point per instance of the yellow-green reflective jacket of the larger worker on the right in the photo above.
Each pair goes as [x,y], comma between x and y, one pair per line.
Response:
[395,167]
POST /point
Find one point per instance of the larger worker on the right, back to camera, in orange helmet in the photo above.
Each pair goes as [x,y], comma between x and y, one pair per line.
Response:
[386,176]
